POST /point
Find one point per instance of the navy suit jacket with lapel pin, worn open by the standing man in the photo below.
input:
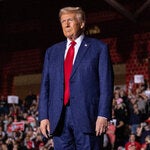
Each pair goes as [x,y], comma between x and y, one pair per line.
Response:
[91,85]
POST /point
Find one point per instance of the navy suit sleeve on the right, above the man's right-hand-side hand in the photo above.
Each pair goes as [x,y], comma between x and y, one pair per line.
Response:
[106,79]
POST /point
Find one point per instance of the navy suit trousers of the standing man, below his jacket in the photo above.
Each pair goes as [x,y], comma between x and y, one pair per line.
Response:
[71,138]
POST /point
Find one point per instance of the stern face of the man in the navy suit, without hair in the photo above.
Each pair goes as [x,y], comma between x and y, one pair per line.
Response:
[71,26]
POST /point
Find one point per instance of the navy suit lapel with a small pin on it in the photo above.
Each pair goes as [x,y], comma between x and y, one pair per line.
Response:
[81,52]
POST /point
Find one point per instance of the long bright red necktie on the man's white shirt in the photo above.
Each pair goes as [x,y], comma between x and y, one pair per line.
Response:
[67,71]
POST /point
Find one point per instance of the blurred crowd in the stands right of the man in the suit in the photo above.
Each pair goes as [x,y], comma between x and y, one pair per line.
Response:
[129,128]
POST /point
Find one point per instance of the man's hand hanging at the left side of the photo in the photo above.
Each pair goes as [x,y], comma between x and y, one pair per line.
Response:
[45,127]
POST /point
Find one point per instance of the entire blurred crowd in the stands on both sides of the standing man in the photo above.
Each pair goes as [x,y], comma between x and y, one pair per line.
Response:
[128,129]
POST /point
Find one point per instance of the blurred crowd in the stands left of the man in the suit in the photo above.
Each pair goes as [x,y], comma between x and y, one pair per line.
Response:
[19,126]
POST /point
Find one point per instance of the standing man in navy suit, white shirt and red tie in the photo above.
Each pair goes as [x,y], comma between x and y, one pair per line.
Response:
[79,123]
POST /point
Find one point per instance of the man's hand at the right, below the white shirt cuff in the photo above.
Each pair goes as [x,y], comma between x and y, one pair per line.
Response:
[101,125]
